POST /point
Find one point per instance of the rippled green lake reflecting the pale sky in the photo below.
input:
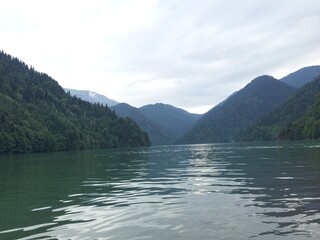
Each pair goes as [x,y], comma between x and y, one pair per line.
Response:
[212,191]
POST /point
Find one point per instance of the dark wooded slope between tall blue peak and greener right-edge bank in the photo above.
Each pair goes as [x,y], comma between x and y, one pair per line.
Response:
[296,106]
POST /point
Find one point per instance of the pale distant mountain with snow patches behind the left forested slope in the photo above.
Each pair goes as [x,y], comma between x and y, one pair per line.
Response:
[92,97]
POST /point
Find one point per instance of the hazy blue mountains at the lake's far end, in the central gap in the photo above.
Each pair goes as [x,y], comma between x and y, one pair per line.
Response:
[163,123]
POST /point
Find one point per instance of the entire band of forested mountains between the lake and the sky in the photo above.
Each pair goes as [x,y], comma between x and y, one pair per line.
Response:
[38,115]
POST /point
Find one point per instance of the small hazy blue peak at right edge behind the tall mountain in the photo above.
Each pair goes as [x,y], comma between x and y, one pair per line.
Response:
[302,76]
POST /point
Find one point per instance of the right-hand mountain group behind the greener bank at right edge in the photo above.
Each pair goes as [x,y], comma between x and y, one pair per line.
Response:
[248,113]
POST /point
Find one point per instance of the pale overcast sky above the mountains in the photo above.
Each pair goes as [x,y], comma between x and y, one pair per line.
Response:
[188,53]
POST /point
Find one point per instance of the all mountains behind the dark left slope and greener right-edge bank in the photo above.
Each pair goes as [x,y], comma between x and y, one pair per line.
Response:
[244,115]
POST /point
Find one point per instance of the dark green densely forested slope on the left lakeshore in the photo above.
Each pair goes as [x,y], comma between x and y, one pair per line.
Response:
[36,115]
